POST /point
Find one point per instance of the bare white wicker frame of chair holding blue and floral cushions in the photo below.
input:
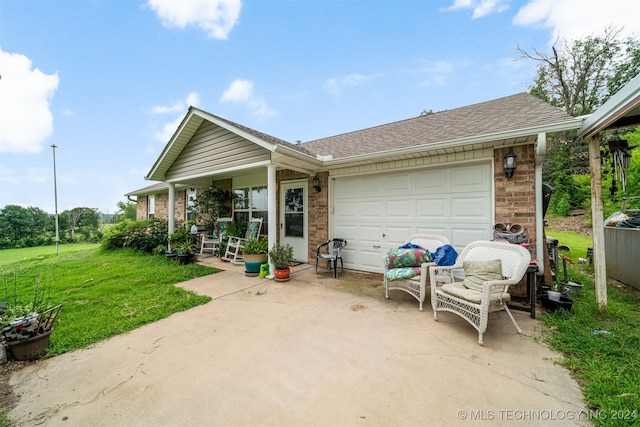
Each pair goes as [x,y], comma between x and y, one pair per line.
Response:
[416,286]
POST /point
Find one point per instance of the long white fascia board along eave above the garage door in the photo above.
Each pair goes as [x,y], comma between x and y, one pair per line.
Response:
[461,142]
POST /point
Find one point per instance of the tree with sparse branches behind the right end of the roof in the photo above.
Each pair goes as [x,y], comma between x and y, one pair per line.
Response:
[579,76]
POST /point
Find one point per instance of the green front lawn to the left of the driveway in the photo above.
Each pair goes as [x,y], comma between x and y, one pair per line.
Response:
[104,293]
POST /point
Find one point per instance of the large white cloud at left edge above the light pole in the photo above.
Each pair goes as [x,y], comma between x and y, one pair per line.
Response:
[26,120]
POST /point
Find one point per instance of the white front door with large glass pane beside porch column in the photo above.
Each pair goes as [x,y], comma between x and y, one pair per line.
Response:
[293,218]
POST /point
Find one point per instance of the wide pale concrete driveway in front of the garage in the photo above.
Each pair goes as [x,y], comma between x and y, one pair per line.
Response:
[312,352]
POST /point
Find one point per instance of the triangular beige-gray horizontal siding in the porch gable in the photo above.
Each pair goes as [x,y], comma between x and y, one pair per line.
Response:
[214,148]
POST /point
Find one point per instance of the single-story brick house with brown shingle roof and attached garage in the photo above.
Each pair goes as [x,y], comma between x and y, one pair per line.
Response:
[440,173]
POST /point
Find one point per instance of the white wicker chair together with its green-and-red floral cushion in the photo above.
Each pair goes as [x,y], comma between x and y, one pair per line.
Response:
[411,276]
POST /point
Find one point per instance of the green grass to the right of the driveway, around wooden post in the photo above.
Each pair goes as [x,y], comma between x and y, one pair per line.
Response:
[601,349]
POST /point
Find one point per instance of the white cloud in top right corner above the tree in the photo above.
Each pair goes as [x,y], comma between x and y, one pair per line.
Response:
[576,19]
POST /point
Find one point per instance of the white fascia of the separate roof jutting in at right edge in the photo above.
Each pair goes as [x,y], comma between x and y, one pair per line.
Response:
[621,102]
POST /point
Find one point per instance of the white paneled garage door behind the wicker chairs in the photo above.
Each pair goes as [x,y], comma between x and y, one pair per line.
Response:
[378,212]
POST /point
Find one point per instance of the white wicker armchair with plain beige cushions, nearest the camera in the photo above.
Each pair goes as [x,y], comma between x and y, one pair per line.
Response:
[489,269]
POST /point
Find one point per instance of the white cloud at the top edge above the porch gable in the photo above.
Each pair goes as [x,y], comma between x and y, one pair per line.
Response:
[216,17]
